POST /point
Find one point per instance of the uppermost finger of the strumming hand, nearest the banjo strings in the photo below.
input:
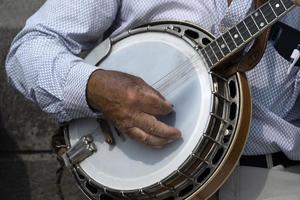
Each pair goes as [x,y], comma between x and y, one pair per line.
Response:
[152,102]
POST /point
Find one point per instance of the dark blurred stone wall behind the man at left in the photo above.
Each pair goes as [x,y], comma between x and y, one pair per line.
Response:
[27,164]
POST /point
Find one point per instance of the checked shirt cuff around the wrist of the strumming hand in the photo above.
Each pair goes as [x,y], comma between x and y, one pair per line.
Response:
[75,102]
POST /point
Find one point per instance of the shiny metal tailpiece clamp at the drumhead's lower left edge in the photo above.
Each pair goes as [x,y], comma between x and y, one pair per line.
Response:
[84,148]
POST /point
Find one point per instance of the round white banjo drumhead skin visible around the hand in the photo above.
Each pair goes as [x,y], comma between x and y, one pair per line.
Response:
[129,165]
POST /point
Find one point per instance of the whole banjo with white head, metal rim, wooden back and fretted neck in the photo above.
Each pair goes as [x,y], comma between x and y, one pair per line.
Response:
[212,111]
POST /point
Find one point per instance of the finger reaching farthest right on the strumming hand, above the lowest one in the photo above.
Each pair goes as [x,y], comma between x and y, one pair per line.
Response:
[151,125]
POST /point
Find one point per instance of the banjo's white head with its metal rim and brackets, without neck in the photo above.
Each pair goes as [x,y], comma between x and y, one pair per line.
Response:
[173,66]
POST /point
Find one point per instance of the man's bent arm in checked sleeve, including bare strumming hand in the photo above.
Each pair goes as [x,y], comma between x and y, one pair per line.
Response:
[44,66]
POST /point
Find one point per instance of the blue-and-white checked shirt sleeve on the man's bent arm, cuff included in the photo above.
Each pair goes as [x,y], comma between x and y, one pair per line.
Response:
[43,62]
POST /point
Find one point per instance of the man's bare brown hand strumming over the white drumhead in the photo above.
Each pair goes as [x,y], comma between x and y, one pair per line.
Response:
[131,104]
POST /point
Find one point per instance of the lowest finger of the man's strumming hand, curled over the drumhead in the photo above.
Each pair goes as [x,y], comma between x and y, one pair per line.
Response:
[151,140]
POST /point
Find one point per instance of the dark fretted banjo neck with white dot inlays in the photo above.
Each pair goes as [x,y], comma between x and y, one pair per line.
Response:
[245,31]
